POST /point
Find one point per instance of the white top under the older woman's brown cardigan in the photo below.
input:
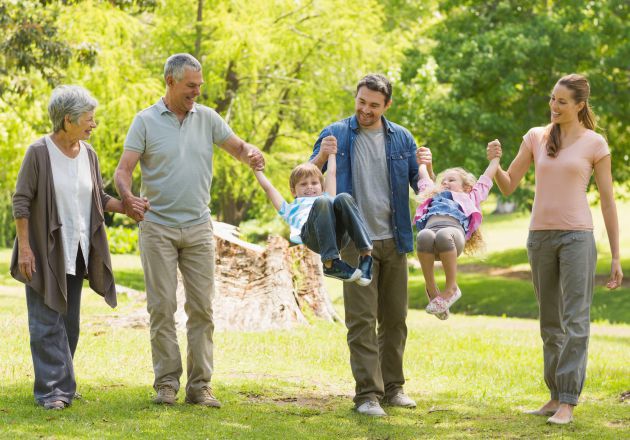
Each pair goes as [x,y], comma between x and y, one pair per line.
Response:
[73,193]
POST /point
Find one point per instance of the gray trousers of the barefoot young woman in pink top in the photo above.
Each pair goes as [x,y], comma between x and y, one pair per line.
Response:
[563,274]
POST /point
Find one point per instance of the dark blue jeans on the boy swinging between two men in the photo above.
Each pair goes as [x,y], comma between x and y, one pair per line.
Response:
[332,222]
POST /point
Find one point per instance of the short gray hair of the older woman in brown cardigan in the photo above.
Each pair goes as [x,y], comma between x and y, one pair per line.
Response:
[69,100]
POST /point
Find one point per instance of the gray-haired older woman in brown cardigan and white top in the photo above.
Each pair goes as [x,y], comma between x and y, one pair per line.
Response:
[58,208]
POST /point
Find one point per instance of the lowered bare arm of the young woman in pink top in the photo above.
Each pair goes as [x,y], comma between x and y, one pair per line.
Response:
[603,178]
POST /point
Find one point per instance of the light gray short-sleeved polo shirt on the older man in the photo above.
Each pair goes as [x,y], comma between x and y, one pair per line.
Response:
[176,161]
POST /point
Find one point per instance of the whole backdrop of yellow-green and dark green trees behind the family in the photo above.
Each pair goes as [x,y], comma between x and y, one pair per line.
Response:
[279,71]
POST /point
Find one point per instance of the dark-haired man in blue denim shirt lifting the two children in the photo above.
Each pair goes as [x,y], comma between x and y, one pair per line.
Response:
[376,164]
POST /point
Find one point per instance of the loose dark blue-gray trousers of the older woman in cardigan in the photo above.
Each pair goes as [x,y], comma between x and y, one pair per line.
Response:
[54,338]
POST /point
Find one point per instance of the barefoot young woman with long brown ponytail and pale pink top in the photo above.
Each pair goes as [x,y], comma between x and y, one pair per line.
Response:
[561,246]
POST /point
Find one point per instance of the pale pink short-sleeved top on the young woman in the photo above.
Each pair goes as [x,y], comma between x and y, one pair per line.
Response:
[560,201]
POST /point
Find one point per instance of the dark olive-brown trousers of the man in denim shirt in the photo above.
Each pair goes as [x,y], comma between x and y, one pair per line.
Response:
[375,318]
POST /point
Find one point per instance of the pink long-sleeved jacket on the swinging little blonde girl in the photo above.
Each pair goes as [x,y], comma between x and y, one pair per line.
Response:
[468,202]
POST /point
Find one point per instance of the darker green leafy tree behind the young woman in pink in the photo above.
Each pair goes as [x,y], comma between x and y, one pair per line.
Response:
[494,63]
